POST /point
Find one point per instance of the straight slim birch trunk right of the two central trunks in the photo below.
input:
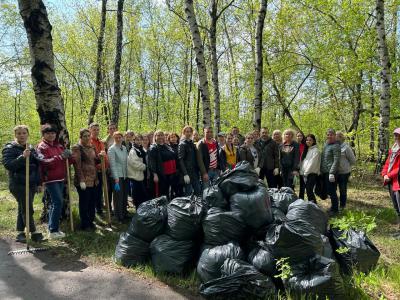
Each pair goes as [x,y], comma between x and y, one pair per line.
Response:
[258,81]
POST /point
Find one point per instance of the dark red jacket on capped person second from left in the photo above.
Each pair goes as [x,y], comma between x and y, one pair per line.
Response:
[52,165]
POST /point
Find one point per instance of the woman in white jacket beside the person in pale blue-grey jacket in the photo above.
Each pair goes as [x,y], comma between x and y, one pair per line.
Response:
[136,171]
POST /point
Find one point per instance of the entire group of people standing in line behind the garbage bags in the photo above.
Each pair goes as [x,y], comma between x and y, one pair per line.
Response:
[144,166]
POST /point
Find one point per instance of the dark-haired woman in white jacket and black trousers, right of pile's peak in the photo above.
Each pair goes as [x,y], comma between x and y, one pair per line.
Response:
[310,166]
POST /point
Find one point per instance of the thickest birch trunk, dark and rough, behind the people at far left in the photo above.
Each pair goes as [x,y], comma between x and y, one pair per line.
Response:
[49,102]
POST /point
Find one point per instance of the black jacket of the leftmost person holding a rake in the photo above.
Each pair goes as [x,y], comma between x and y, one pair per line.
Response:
[14,162]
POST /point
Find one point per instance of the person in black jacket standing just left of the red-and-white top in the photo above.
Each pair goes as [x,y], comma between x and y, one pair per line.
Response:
[188,164]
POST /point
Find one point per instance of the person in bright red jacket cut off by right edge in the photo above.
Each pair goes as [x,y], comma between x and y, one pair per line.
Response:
[390,172]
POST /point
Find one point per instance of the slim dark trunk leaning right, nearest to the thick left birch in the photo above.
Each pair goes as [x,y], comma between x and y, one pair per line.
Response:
[99,78]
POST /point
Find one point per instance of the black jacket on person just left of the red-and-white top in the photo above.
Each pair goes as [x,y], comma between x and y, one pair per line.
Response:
[187,157]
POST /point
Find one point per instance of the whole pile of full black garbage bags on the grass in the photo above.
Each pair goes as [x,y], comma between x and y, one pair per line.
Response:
[236,234]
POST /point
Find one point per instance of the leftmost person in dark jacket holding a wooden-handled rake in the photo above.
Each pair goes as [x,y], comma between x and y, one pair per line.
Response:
[14,158]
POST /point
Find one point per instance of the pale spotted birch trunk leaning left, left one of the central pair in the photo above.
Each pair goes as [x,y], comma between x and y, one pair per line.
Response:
[200,61]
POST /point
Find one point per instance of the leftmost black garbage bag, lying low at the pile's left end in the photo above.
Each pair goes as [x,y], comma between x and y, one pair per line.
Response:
[131,251]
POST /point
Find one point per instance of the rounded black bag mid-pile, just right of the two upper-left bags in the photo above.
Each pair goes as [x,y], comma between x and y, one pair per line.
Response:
[221,227]
